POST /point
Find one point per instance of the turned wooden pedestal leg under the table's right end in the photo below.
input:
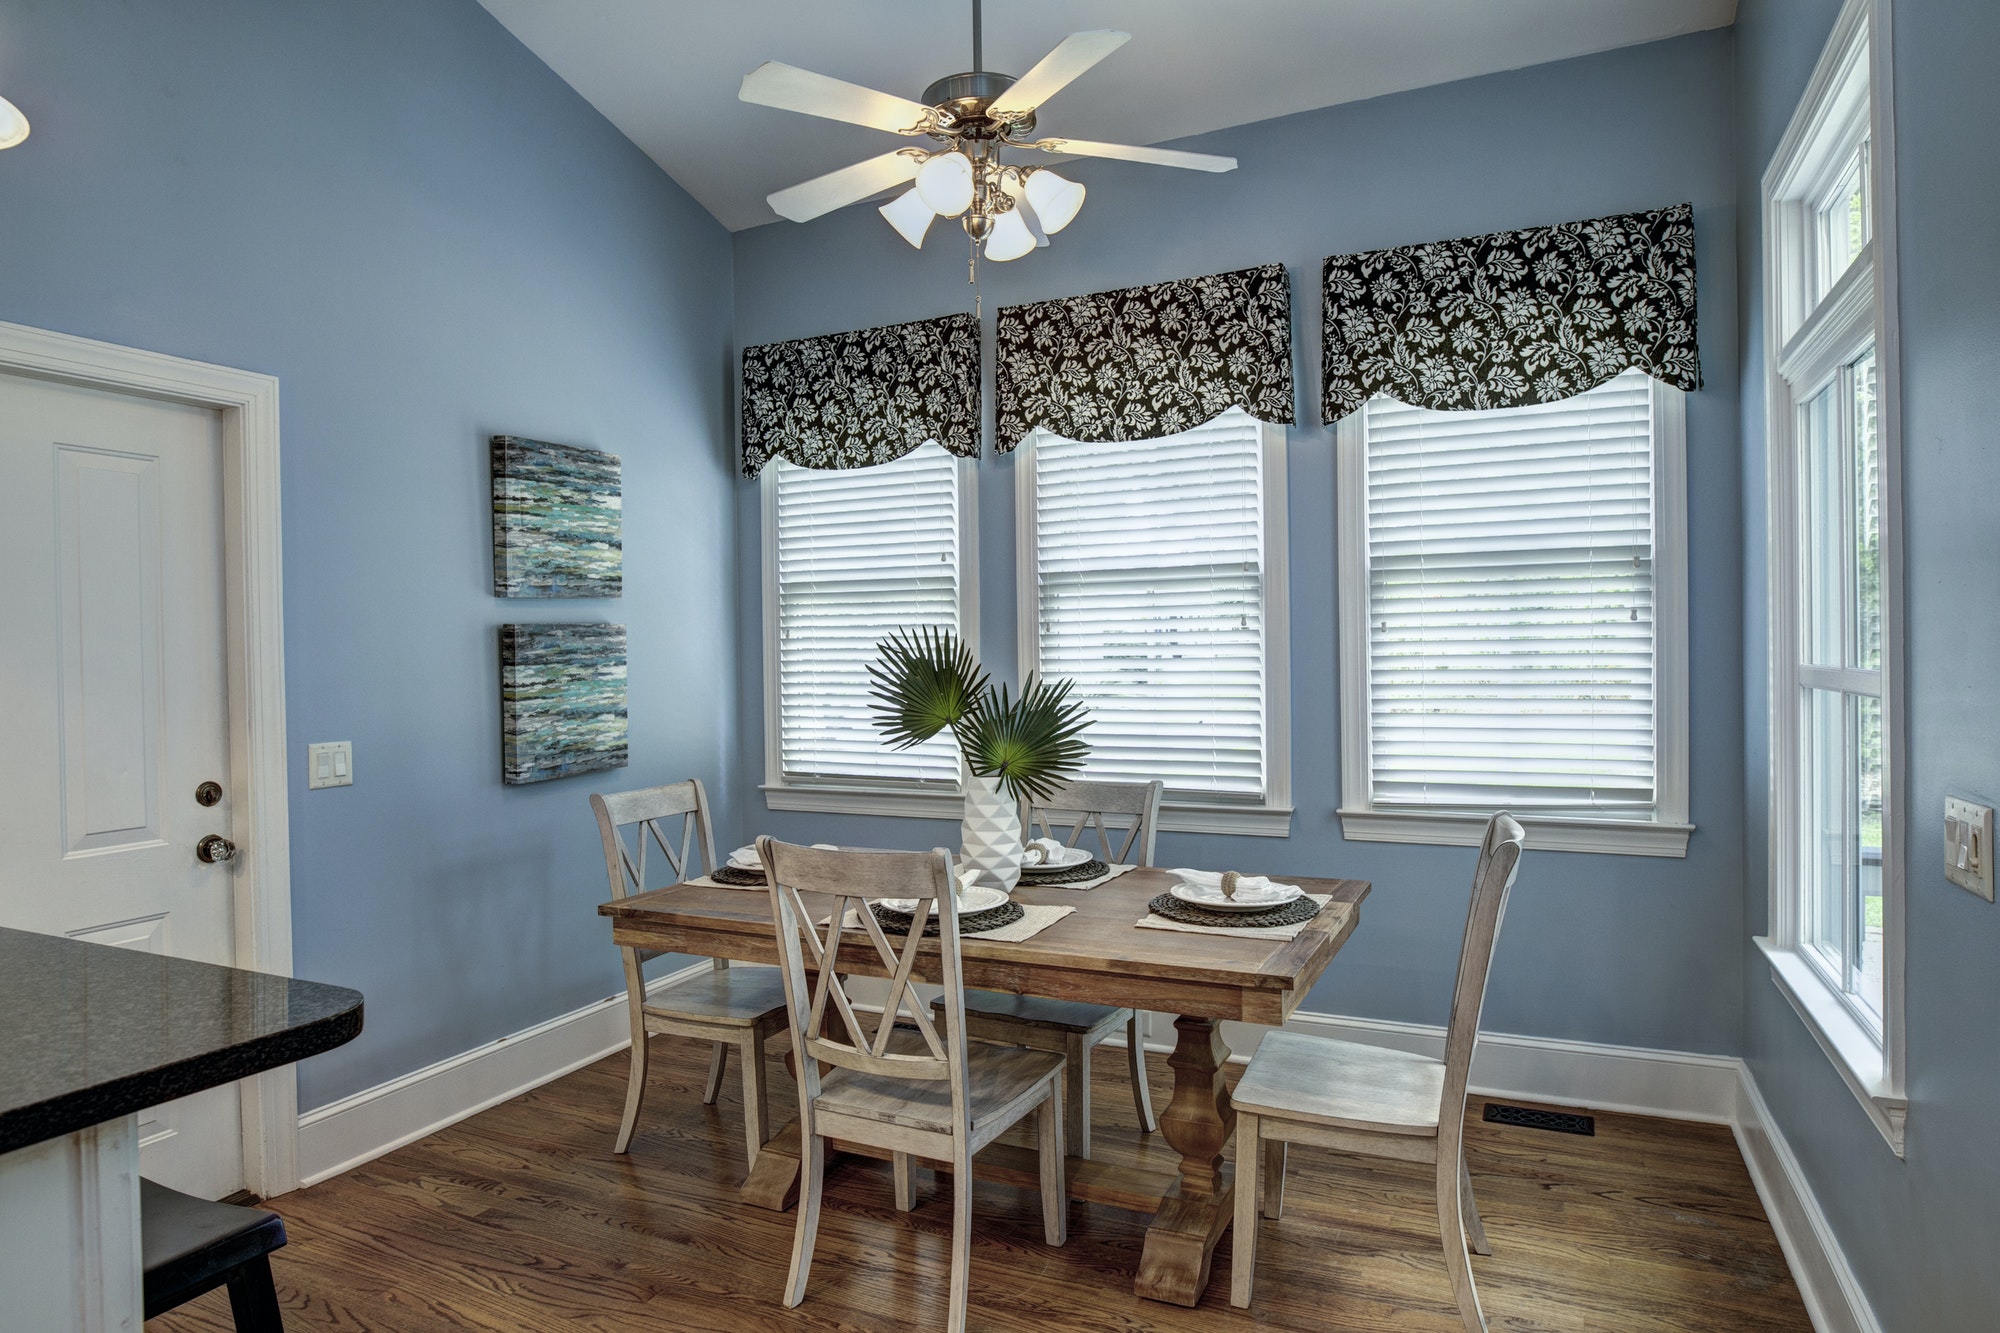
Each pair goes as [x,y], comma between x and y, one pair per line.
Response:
[1181,1244]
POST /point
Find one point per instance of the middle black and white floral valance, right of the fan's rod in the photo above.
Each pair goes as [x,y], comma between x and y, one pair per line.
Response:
[1147,361]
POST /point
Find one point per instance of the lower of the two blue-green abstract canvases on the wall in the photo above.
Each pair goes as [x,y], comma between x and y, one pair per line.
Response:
[563,704]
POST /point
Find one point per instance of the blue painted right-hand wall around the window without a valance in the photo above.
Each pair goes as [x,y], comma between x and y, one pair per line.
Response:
[1919,1232]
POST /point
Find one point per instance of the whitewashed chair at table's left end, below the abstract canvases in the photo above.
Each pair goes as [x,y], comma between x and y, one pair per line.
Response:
[731,1008]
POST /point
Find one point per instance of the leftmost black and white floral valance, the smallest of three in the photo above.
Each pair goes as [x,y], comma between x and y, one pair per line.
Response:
[857,399]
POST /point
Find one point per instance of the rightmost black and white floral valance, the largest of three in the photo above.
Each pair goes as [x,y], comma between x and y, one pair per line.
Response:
[1515,317]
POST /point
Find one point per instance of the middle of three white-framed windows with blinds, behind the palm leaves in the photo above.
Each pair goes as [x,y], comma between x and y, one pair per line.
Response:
[1155,575]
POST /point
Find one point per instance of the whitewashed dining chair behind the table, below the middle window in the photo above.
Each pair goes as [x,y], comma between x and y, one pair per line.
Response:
[1069,1028]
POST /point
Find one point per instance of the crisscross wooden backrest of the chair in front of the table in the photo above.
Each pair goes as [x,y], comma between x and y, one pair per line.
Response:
[811,960]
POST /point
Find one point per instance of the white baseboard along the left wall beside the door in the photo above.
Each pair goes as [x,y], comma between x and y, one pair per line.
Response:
[381,1120]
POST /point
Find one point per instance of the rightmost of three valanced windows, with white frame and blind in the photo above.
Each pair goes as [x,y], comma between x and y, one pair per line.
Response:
[1515,621]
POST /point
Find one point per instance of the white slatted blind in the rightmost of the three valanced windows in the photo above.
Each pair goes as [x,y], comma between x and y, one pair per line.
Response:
[1511,605]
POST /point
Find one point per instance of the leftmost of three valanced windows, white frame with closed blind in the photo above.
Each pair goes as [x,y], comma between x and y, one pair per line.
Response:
[849,557]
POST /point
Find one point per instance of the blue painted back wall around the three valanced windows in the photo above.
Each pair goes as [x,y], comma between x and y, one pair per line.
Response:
[1619,950]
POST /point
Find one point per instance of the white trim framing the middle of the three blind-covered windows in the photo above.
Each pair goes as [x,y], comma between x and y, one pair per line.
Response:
[1271,818]
